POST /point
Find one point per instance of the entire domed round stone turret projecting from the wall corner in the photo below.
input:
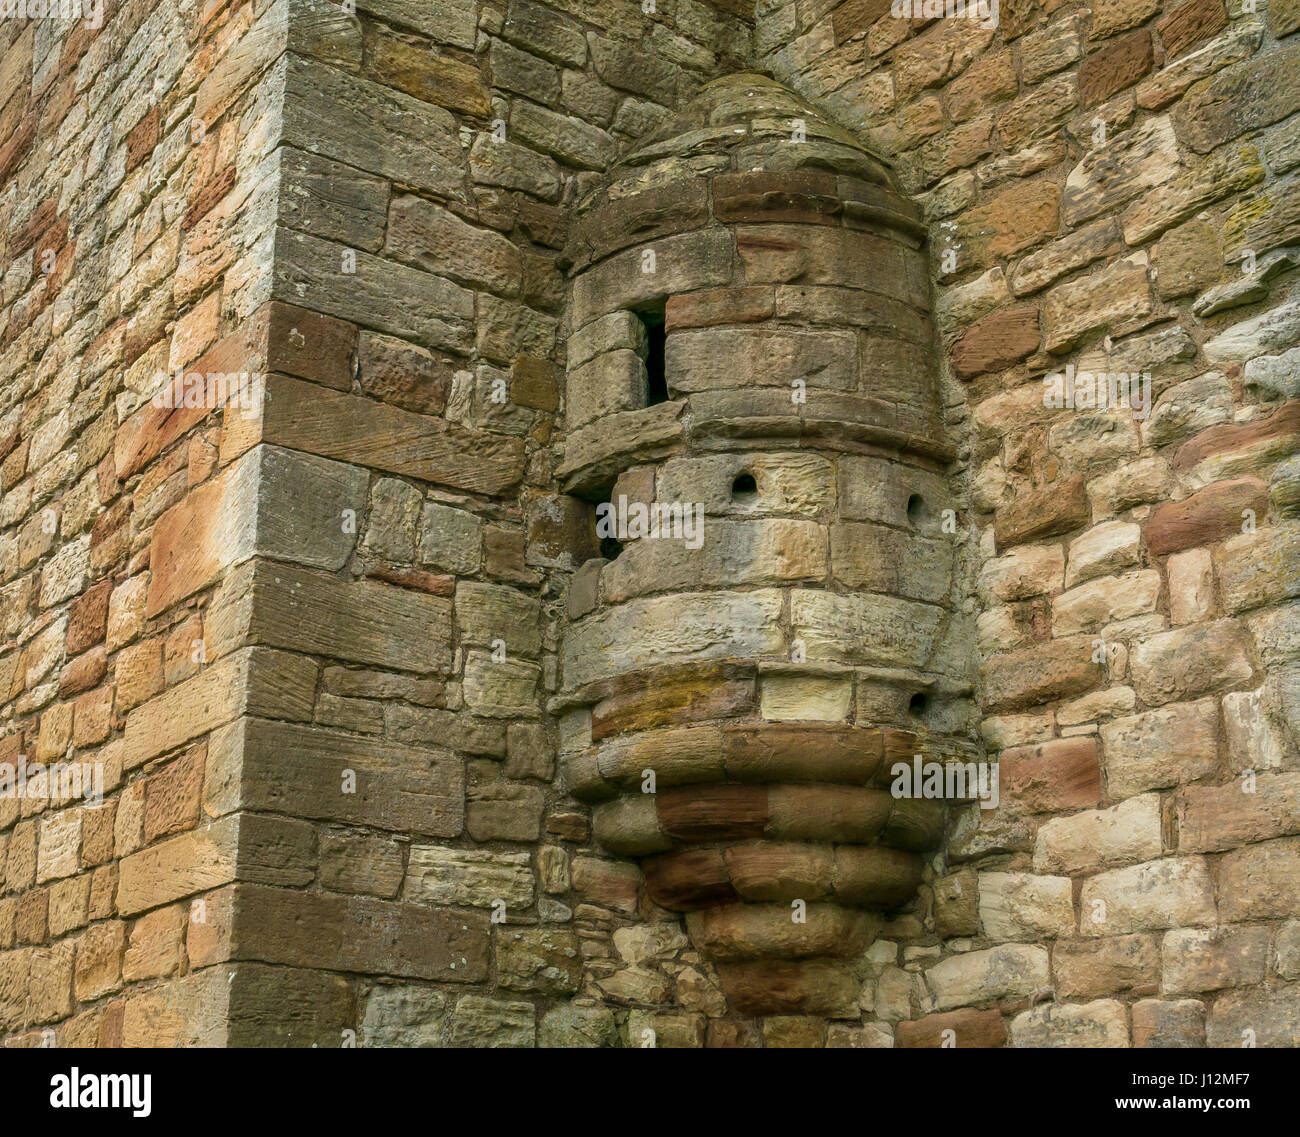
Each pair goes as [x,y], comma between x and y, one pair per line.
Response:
[764,676]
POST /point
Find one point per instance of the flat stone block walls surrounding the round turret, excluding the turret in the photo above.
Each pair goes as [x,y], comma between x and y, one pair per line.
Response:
[314,639]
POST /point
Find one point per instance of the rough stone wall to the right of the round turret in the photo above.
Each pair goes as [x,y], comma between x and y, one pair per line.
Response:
[1113,188]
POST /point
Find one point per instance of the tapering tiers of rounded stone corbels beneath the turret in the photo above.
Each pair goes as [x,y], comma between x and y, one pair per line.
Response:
[788,813]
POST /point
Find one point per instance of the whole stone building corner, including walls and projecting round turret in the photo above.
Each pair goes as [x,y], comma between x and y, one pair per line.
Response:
[375,708]
